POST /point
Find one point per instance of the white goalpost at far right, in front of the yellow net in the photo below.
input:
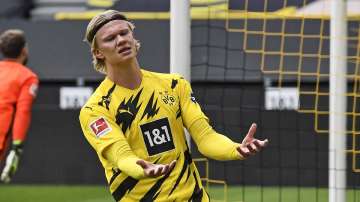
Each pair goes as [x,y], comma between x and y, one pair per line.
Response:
[337,98]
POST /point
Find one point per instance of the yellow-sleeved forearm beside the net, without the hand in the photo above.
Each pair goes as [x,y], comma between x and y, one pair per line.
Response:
[212,144]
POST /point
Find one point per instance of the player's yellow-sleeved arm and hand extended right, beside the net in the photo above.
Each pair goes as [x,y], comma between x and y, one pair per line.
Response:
[209,142]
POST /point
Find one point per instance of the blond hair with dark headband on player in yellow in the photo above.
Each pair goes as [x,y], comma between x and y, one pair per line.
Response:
[94,25]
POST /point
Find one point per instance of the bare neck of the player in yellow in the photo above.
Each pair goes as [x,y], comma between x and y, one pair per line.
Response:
[127,75]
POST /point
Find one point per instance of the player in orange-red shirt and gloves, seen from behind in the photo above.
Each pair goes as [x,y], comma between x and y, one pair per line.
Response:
[18,86]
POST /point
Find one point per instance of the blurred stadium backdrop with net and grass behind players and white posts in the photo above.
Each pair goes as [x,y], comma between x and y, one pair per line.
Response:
[260,61]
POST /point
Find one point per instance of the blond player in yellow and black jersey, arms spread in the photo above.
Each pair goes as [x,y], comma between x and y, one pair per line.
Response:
[135,119]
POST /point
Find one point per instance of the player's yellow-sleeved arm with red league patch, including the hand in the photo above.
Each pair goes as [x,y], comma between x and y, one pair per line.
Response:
[110,144]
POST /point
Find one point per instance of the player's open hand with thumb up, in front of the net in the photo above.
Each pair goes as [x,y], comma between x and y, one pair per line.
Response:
[251,145]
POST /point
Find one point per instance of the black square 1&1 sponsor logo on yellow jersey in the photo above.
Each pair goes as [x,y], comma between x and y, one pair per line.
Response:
[157,136]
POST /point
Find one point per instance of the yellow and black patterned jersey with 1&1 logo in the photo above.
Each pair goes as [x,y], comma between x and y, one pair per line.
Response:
[152,119]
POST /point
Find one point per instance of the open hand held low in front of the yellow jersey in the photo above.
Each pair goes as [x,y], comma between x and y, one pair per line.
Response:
[155,170]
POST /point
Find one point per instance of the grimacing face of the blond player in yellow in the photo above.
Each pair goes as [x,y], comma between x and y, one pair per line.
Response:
[115,42]
